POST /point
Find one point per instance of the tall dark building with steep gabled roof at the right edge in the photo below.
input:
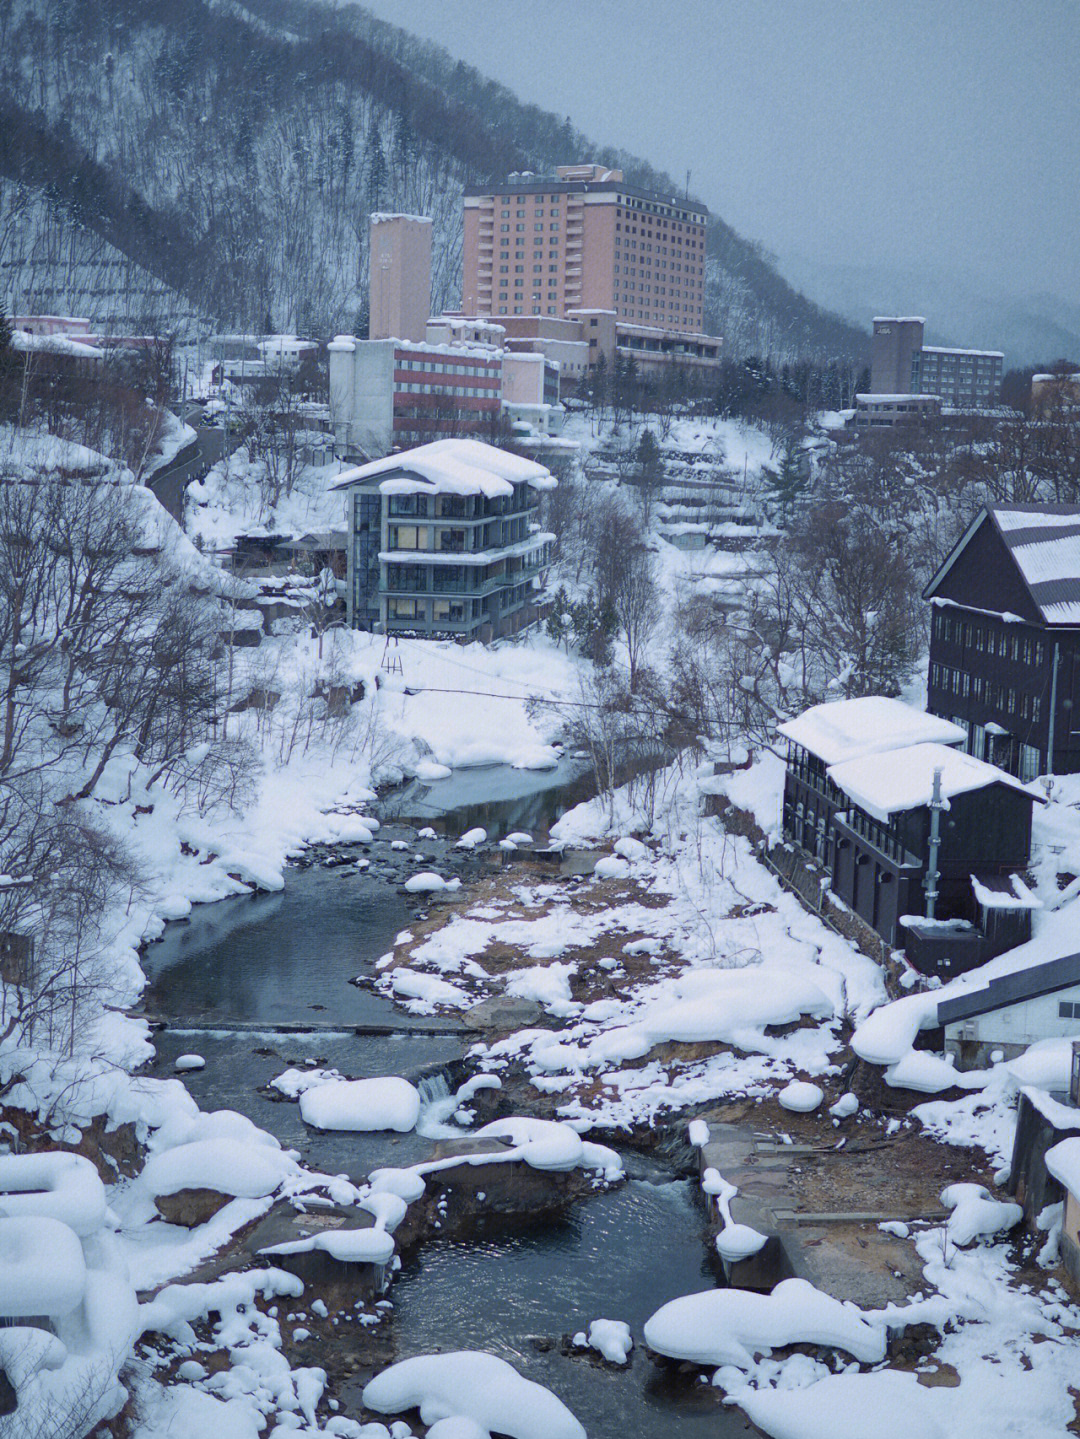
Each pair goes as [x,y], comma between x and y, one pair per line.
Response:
[1006,638]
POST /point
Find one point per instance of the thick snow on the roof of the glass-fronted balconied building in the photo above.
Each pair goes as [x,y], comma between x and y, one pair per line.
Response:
[452,468]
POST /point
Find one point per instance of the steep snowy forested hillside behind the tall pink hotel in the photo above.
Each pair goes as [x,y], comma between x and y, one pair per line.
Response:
[165,158]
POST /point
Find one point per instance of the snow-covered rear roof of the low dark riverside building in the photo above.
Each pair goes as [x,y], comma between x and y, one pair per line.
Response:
[848,729]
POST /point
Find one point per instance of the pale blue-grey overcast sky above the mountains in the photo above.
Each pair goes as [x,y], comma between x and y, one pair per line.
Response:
[898,133]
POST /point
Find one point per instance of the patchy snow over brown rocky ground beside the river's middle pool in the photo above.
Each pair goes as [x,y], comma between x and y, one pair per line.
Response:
[730,959]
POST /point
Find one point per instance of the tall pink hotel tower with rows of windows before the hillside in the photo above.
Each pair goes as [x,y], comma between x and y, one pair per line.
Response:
[585,241]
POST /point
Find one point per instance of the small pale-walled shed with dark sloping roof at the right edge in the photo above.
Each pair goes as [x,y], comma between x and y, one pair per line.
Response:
[1012,1012]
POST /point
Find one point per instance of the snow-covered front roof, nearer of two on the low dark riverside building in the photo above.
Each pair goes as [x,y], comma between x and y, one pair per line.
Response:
[904,779]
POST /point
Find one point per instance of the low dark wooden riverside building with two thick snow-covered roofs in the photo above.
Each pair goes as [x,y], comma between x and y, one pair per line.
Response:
[859,799]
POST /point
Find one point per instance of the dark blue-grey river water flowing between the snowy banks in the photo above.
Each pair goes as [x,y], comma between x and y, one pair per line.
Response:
[241,973]
